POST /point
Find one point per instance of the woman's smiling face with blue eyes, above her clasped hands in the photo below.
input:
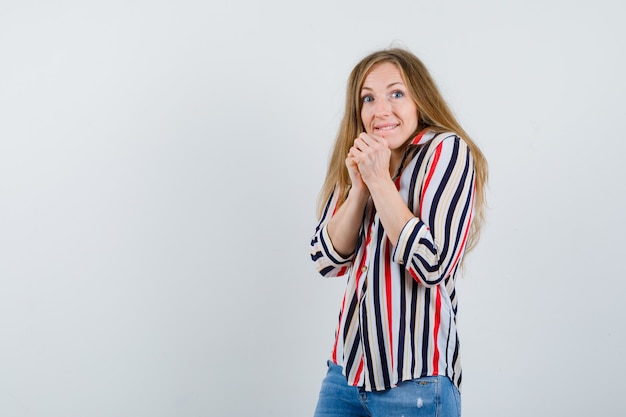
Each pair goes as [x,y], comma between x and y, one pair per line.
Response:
[388,110]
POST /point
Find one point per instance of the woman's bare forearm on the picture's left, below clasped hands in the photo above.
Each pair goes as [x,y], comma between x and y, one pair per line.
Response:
[343,228]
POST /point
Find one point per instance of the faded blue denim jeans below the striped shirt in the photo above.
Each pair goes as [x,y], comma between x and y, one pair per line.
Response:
[428,396]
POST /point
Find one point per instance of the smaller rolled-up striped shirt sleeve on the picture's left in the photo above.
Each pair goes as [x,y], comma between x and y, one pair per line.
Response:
[327,260]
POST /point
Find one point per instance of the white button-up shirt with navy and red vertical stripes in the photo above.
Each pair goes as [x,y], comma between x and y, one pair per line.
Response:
[397,320]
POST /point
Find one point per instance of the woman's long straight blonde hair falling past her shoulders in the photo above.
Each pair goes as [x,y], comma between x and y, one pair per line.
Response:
[433,113]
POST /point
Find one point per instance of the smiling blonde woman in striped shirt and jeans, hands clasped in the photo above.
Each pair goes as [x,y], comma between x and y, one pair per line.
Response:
[402,203]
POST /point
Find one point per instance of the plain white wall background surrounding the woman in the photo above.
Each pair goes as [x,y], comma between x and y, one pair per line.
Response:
[159,166]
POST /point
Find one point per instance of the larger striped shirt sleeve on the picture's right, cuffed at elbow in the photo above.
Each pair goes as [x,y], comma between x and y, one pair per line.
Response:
[431,244]
